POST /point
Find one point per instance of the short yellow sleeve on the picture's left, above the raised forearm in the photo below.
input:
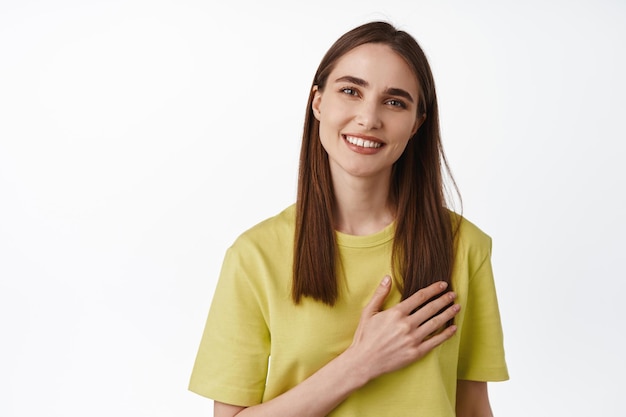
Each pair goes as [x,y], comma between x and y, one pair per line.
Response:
[232,361]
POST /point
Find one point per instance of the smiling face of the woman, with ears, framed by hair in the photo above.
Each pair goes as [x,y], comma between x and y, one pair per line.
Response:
[367,111]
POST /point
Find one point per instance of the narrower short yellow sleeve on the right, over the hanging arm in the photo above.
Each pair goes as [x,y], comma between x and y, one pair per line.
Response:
[481,351]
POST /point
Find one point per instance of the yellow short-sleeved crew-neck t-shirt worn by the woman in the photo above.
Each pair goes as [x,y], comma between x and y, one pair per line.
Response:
[258,344]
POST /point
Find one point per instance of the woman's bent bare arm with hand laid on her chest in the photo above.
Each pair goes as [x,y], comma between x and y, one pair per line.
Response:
[383,342]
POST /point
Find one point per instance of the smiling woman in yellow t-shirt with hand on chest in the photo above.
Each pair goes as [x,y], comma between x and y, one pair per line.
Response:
[339,305]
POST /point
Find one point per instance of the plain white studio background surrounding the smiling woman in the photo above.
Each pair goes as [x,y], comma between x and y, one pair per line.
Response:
[139,138]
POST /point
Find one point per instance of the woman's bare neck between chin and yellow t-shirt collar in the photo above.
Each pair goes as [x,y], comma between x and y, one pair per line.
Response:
[362,204]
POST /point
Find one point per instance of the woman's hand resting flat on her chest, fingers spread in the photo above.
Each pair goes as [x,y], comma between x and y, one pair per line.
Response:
[392,339]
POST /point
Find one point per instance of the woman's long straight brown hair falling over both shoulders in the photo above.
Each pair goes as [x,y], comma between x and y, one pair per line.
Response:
[423,248]
